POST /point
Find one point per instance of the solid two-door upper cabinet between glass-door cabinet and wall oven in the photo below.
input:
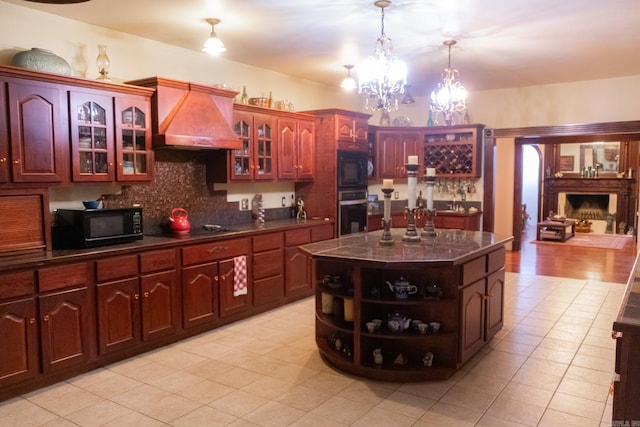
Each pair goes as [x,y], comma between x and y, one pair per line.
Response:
[295,149]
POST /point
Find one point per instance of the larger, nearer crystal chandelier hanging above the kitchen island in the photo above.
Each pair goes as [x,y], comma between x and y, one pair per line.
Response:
[382,77]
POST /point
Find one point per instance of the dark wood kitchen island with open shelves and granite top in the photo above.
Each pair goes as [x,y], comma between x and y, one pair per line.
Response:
[367,326]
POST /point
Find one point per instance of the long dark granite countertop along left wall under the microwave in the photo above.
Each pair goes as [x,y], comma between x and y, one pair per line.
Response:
[197,235]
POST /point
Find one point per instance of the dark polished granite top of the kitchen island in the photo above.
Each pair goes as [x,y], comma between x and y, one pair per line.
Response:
[448,247]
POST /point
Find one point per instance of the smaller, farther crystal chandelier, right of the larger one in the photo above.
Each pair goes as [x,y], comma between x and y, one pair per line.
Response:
[449,98]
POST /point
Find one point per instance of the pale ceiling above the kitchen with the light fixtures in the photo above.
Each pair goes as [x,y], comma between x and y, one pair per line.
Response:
[501,43]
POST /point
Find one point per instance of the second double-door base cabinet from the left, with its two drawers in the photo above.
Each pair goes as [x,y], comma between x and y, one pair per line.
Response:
[137,299]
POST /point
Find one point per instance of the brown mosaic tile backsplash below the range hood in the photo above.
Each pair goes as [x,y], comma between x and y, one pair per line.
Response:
[180,181]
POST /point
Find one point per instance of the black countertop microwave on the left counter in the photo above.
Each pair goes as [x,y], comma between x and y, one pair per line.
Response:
[86,228]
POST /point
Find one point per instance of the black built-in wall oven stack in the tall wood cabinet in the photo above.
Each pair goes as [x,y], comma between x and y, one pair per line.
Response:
[352,192]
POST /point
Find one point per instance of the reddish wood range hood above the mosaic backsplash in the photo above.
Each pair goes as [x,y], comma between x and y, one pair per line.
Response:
[191,116]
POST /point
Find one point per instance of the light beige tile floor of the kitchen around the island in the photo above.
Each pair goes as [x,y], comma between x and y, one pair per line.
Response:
[551,365]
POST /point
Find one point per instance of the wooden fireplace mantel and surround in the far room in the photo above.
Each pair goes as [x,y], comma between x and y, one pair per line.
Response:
[623,187]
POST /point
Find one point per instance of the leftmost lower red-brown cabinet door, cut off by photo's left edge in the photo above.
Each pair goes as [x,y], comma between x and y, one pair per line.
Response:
[18,341]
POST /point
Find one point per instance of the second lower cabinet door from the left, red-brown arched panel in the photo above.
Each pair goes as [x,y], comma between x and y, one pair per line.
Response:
[65,323]
